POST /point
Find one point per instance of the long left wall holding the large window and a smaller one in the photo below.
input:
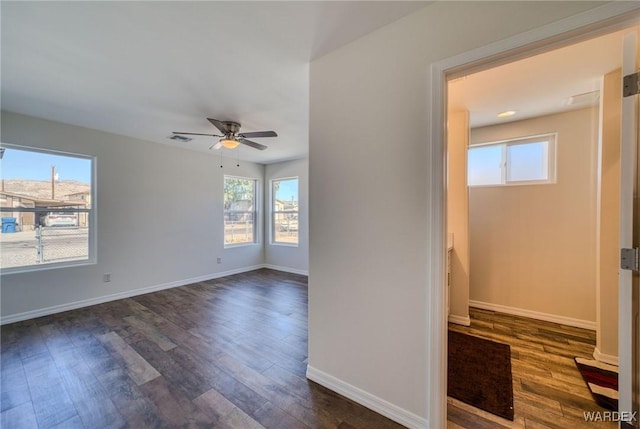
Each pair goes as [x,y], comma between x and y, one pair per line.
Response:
[159,218]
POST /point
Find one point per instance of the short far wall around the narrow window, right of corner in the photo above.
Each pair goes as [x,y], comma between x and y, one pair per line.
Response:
[286,257]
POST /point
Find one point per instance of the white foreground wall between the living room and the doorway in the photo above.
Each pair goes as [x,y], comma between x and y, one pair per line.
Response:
[369,110]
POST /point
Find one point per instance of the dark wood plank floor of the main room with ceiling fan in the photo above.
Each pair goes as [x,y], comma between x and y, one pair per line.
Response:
[226,353]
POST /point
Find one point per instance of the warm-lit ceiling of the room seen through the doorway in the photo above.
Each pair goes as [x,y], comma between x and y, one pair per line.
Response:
[538,85]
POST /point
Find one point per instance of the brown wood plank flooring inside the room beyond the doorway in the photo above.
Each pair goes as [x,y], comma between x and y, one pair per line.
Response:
[548,390]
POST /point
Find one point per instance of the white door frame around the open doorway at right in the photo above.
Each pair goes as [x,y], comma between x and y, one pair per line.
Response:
[592,23]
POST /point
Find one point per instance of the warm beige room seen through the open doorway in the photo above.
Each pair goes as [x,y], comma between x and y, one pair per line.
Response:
[533,219]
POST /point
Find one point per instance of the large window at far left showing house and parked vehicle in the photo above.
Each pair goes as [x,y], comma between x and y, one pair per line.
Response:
[47,215]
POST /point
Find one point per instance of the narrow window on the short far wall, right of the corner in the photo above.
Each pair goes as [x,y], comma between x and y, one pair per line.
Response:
[284,209]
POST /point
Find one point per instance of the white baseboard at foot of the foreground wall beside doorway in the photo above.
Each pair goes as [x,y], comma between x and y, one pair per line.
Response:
[379,405]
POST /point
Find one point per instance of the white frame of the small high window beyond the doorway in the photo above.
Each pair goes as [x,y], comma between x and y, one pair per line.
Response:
[552,144]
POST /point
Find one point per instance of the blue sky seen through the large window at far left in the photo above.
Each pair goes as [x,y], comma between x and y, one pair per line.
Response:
[28,165]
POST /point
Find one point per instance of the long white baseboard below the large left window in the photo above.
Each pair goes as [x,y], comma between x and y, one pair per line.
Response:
[127,294]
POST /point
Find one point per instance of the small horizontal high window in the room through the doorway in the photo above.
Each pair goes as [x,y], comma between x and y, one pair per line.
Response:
[527,160]
